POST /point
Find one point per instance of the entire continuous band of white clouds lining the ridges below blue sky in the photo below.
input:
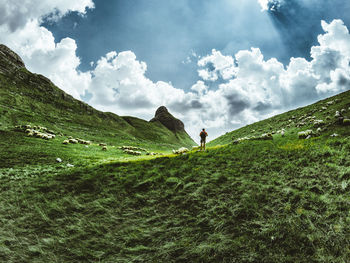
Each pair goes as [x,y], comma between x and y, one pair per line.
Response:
[233,90]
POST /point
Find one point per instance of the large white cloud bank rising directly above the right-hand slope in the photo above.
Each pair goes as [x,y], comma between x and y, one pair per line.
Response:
[259,88]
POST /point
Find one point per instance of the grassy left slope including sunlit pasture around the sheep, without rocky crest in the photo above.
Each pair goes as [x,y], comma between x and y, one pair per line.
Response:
[26,98]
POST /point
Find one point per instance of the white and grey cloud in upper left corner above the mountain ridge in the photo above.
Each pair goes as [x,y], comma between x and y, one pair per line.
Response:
[20,30]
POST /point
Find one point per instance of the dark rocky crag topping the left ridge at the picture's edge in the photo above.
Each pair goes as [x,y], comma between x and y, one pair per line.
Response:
[9,60]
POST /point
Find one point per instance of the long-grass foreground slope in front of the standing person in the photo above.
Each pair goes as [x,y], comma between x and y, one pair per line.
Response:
[285,200]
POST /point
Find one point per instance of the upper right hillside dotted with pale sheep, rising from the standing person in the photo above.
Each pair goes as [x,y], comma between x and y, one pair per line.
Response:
[290,121]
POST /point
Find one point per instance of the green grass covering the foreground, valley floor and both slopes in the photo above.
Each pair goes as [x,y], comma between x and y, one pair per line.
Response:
[281,200]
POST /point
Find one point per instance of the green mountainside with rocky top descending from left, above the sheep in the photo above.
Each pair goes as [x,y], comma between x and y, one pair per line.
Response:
[27,98]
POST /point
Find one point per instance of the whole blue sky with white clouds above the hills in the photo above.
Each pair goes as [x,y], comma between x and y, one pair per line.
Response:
[217,64]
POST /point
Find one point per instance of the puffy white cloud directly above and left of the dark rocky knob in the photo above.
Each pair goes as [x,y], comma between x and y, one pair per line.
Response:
[119,85]
